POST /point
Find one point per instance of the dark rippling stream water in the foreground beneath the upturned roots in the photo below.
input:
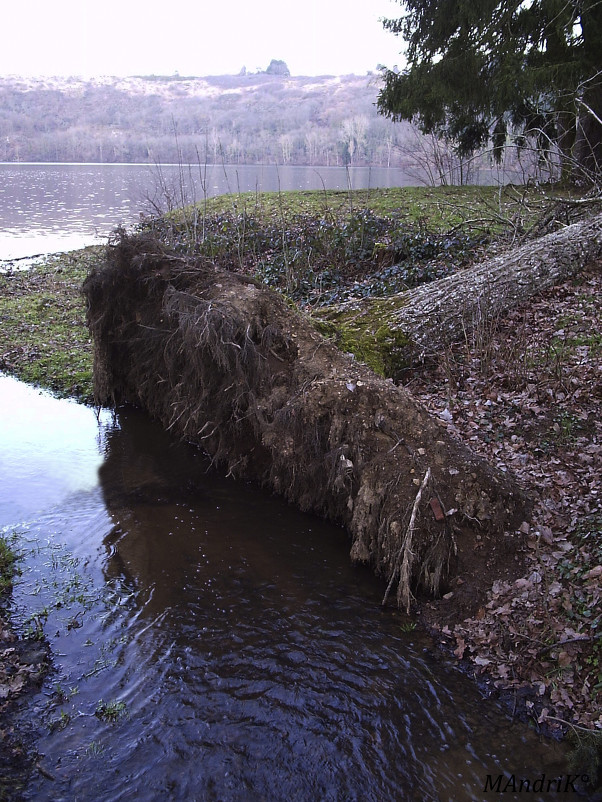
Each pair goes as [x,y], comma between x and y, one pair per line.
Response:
[211,643]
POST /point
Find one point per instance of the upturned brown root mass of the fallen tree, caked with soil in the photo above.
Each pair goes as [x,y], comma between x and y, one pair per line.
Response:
[226,364]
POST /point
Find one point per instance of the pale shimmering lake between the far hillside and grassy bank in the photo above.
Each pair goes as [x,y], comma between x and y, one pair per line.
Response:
[47,208]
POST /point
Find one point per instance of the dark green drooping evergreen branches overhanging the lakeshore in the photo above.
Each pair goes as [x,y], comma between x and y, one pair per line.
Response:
[482,71]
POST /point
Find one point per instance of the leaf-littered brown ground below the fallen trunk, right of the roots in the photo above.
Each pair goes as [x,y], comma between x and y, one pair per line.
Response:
[526,392]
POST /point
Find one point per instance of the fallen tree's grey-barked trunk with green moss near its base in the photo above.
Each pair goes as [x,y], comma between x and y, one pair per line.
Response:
[395,332]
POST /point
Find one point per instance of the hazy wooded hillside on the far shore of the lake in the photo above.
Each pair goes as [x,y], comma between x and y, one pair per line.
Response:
[247,118]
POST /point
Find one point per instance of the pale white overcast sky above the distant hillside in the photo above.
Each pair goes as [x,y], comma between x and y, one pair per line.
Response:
[132,37]
